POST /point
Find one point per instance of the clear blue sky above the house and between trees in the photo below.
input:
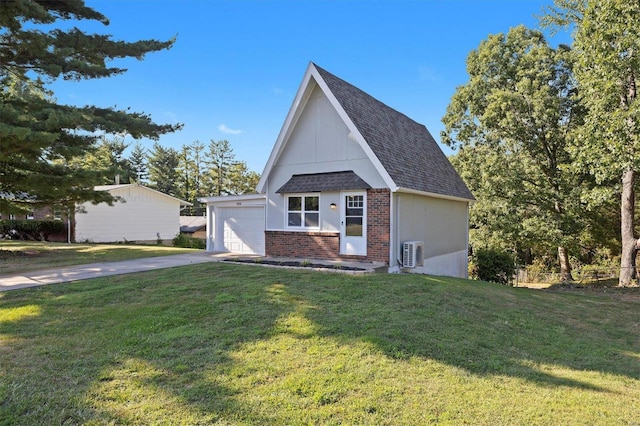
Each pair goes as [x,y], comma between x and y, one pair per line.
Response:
[237,64]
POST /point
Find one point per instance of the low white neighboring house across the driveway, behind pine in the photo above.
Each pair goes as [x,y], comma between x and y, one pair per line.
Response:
[143,215]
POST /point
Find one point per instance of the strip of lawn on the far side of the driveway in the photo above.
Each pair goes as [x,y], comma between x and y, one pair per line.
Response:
[21,256]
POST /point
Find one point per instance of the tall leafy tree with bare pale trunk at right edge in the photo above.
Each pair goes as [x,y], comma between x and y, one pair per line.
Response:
[607,47]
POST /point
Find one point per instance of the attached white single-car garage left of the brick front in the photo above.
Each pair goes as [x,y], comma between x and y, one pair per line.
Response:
[236,224]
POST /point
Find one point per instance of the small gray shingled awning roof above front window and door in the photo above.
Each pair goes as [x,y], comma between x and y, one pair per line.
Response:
[316,182]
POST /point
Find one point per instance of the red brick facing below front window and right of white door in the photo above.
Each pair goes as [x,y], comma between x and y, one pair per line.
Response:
[326,245]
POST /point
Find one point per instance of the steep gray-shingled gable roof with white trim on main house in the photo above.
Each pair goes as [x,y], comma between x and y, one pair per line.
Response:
[404,151]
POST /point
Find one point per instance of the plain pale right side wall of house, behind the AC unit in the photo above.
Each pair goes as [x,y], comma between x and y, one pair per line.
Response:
[442,225]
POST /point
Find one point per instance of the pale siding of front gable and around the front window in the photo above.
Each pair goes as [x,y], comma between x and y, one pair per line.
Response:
[319,143]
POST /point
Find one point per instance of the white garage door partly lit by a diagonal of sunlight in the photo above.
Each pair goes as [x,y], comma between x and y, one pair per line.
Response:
[243,229]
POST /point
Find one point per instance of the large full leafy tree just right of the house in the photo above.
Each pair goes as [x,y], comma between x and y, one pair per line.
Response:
[519,103]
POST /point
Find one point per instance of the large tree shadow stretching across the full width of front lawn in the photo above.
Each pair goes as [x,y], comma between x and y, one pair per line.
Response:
[174,338]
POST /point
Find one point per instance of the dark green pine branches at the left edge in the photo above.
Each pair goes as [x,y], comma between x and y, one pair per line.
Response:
[40,138]
